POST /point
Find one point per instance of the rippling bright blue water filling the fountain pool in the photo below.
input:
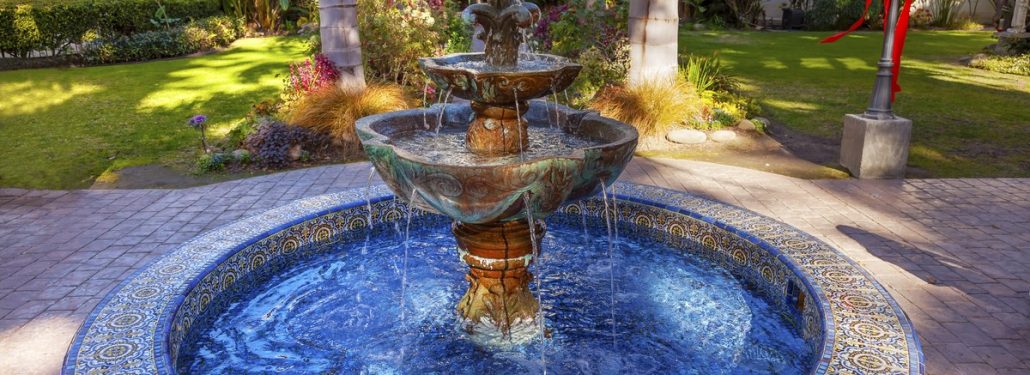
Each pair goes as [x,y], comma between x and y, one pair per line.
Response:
[338,313]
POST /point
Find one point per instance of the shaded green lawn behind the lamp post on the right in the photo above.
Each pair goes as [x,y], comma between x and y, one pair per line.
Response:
[968,123]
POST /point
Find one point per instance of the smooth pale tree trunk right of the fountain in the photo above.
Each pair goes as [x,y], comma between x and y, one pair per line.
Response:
[654,41]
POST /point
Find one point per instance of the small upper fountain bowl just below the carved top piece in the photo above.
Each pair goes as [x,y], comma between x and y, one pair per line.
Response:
[468,77]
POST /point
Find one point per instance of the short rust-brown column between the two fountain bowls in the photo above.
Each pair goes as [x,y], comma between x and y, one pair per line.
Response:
[498,131]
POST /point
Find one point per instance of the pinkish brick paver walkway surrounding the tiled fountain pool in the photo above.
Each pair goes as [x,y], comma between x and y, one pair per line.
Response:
[954,253]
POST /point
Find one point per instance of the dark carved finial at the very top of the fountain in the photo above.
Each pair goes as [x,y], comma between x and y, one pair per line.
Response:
[502,22]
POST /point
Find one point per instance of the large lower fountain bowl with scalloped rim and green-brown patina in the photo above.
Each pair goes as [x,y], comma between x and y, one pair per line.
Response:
[423,157]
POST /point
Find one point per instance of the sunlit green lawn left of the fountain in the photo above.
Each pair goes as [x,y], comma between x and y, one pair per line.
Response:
[62,128]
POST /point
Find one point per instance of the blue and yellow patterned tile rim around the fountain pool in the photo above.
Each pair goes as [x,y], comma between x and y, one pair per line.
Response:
[131,329]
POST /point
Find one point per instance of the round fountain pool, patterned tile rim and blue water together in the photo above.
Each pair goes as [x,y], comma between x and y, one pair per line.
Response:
[699,288]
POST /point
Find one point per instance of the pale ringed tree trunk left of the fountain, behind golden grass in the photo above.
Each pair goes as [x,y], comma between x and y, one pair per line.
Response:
[340,41]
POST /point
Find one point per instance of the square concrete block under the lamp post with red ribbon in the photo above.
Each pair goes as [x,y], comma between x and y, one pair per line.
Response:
[875,149]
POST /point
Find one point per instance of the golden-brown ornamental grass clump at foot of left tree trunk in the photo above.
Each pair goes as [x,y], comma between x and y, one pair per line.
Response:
[333,111]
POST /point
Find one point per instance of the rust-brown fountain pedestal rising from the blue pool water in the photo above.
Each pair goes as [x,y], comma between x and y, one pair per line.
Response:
[499,301]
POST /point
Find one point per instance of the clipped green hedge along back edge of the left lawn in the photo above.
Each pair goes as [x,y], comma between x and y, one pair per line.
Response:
[41,26]
